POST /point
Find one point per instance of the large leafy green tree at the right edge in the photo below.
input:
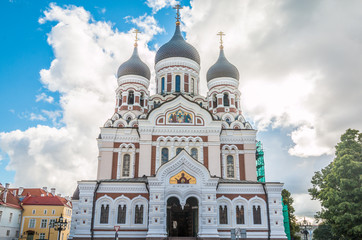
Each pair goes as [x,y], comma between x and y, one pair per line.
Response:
[338,188]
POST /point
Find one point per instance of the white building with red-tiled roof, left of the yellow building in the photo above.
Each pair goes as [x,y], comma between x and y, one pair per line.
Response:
[10,214]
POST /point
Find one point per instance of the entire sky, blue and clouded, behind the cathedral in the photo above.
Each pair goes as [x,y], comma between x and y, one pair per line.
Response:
[300,76]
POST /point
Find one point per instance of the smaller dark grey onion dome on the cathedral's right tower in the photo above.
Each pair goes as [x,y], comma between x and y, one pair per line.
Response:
[222,68]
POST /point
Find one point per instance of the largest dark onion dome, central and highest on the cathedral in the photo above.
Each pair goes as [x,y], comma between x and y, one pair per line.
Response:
[177,47]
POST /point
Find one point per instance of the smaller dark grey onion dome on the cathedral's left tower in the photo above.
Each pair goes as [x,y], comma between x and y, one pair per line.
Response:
[134,66]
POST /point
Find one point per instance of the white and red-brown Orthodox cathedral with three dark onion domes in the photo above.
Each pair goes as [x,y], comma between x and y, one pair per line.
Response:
[177,164]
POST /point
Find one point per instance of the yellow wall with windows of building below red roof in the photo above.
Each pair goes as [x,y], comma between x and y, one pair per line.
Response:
[39,212]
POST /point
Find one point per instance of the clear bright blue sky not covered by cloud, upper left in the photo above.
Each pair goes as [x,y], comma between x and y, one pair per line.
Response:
[25,52]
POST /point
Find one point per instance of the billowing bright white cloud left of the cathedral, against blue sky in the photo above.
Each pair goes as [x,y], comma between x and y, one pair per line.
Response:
[87,55]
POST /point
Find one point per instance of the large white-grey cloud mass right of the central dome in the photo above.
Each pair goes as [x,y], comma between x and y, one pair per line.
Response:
[297,63]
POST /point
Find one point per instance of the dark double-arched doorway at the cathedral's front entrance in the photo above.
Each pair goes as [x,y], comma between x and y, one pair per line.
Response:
[182,222]
